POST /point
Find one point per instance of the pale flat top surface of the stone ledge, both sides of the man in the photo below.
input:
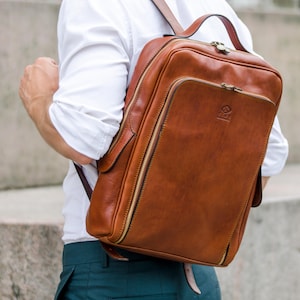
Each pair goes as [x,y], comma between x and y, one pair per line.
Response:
[44,204]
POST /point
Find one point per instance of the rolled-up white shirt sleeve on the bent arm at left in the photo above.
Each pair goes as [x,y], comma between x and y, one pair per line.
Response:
[94,55]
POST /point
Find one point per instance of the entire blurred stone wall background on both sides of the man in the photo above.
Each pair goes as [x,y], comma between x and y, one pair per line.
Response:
[267,265]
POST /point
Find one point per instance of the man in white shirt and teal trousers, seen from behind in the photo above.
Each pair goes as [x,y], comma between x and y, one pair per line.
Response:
[79,112]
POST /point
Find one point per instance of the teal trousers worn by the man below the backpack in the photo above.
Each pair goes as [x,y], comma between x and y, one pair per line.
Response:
[89,274]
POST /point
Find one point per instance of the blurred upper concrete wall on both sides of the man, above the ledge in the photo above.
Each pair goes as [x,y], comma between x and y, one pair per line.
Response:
[28,30]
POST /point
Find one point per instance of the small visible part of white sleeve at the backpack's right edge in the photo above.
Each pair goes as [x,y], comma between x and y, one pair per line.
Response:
[277,151]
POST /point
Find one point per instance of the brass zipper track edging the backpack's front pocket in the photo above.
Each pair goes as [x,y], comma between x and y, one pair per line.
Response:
[154,140]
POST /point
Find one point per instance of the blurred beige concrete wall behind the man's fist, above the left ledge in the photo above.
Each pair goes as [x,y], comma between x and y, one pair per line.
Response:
[27,30]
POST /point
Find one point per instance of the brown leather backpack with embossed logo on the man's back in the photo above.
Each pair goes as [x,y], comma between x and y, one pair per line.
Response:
[182,173]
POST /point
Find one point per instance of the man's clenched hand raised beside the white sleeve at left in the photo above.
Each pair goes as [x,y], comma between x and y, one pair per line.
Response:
[38,84]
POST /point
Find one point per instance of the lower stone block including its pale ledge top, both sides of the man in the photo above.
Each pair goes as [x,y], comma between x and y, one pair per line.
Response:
[267,267]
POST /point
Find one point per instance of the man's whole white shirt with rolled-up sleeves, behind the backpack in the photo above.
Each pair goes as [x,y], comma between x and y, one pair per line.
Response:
[99,43]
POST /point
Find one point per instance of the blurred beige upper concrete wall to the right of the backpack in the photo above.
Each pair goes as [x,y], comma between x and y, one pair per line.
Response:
[276,37]
